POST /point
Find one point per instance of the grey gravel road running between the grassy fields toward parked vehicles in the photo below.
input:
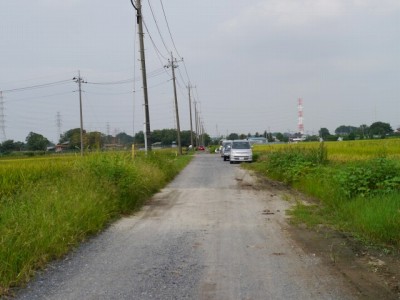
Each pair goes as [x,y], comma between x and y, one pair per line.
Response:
[208,235]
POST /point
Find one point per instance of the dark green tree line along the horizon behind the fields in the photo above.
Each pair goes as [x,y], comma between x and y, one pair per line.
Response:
[166,137]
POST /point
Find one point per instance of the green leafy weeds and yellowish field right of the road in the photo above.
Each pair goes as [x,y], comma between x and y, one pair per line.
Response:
[356,185]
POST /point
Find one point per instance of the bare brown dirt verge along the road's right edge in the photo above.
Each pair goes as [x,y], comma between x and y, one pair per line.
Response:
[373,272]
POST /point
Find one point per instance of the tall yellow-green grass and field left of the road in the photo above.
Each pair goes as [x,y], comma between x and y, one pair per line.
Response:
[49,205]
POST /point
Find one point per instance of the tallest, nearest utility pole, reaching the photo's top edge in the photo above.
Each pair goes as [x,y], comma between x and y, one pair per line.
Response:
[147,132]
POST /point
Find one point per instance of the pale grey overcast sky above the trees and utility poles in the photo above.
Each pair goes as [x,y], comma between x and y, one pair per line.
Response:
[248,62]
